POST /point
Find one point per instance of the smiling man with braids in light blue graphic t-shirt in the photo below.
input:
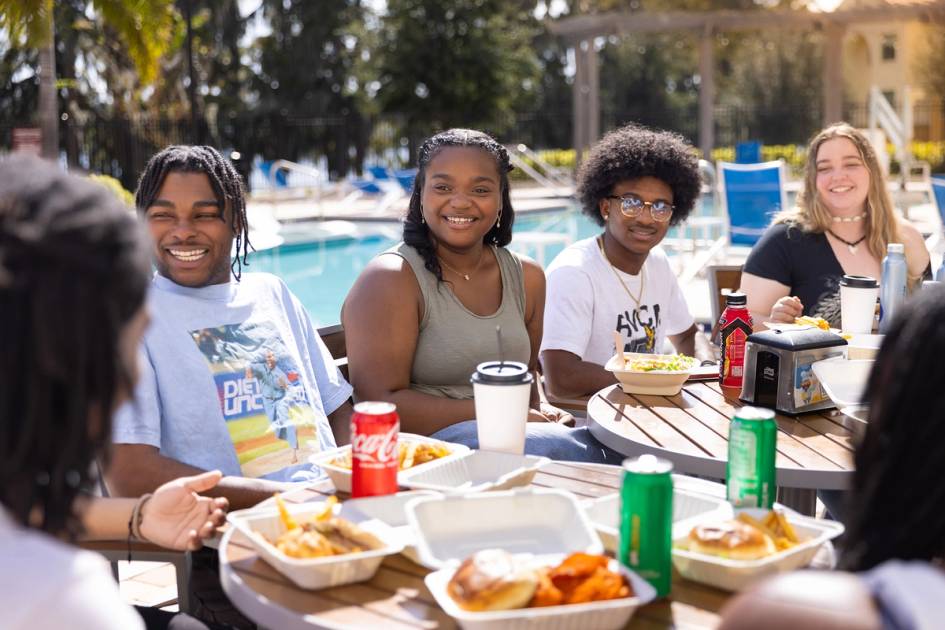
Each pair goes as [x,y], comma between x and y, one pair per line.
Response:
[201,403]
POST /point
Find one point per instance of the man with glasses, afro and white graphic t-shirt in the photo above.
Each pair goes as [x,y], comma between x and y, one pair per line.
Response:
[636,183]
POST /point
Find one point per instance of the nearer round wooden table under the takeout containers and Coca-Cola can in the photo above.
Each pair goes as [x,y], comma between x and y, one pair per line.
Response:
[397,597]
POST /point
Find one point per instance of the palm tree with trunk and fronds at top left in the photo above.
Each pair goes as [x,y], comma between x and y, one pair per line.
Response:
[145,26]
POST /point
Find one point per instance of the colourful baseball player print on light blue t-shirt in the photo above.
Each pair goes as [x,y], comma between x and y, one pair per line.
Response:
[267,412]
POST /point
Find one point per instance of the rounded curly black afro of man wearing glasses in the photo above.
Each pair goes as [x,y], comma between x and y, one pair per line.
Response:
[632,152]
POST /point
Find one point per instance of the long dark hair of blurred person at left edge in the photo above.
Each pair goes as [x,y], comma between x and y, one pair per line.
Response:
[74,271]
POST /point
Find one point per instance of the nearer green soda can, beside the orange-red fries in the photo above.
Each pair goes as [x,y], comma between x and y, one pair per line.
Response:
[646,520]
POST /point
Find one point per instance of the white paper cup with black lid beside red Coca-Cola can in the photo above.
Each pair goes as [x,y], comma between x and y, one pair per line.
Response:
[502,391]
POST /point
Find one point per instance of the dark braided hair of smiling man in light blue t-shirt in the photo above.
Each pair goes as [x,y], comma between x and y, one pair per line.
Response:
[225,181]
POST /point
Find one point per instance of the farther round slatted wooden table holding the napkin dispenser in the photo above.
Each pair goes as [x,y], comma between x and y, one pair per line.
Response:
[815,450]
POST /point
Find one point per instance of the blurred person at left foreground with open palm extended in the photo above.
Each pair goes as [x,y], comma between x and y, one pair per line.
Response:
[73,278]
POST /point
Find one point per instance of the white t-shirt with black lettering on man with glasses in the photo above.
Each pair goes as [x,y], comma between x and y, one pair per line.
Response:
[585,304]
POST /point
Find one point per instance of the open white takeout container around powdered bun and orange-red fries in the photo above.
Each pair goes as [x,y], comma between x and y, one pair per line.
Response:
[538,526]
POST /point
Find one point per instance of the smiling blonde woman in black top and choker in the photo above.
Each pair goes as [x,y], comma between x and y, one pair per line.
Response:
[841,224]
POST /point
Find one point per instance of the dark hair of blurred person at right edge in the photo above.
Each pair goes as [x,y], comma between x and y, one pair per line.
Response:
[896,501]
